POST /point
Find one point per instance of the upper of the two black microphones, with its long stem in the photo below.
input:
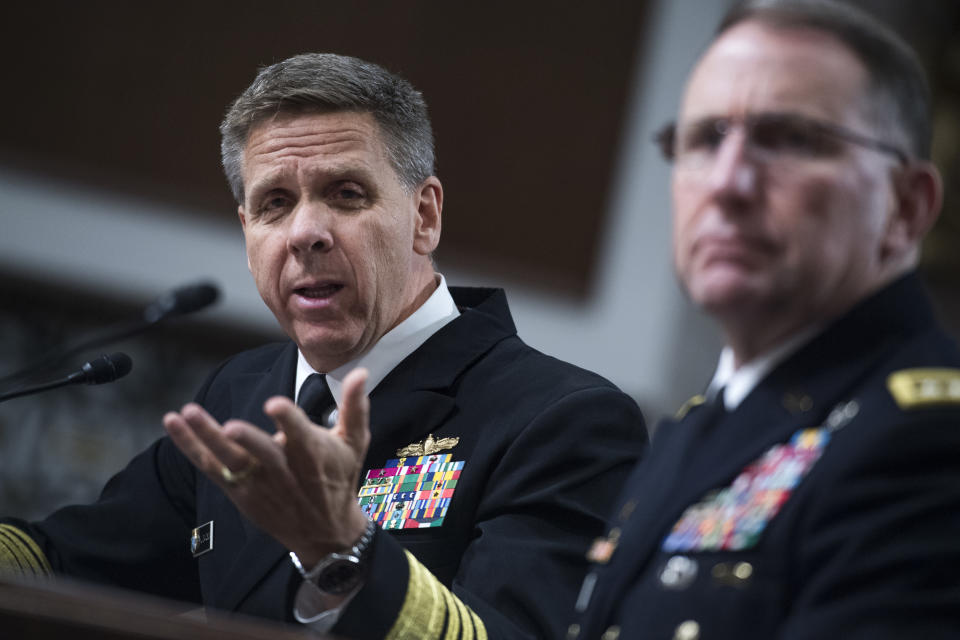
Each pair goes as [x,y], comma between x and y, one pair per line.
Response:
[180,301]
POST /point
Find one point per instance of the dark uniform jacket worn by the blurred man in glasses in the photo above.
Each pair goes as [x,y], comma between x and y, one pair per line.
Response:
[827,505]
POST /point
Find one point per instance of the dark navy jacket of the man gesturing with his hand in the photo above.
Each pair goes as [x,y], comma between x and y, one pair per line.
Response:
[545,447]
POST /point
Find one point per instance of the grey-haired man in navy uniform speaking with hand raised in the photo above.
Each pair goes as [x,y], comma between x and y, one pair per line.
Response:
[487,468]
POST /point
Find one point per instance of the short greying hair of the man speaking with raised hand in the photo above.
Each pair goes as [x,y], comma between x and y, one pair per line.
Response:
[330,83]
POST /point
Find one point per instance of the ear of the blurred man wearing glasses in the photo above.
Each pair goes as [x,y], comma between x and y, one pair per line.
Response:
[918,189]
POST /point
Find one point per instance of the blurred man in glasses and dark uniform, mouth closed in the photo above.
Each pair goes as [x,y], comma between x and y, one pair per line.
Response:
[814,492]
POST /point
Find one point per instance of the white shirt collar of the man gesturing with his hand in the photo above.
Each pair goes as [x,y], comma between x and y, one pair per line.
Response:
[394,346]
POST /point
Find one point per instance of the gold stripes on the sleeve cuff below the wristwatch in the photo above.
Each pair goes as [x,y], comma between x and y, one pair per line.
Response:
[431,612]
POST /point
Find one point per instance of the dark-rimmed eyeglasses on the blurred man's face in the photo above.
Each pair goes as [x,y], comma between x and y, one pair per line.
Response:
[770,137]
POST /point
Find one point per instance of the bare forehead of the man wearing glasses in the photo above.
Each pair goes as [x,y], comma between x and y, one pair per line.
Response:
[757,67]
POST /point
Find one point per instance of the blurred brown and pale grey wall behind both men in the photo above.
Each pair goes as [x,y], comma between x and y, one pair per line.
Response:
[111,191]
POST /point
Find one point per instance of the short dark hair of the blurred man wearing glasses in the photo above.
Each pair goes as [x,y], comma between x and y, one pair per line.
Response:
[897,79]
